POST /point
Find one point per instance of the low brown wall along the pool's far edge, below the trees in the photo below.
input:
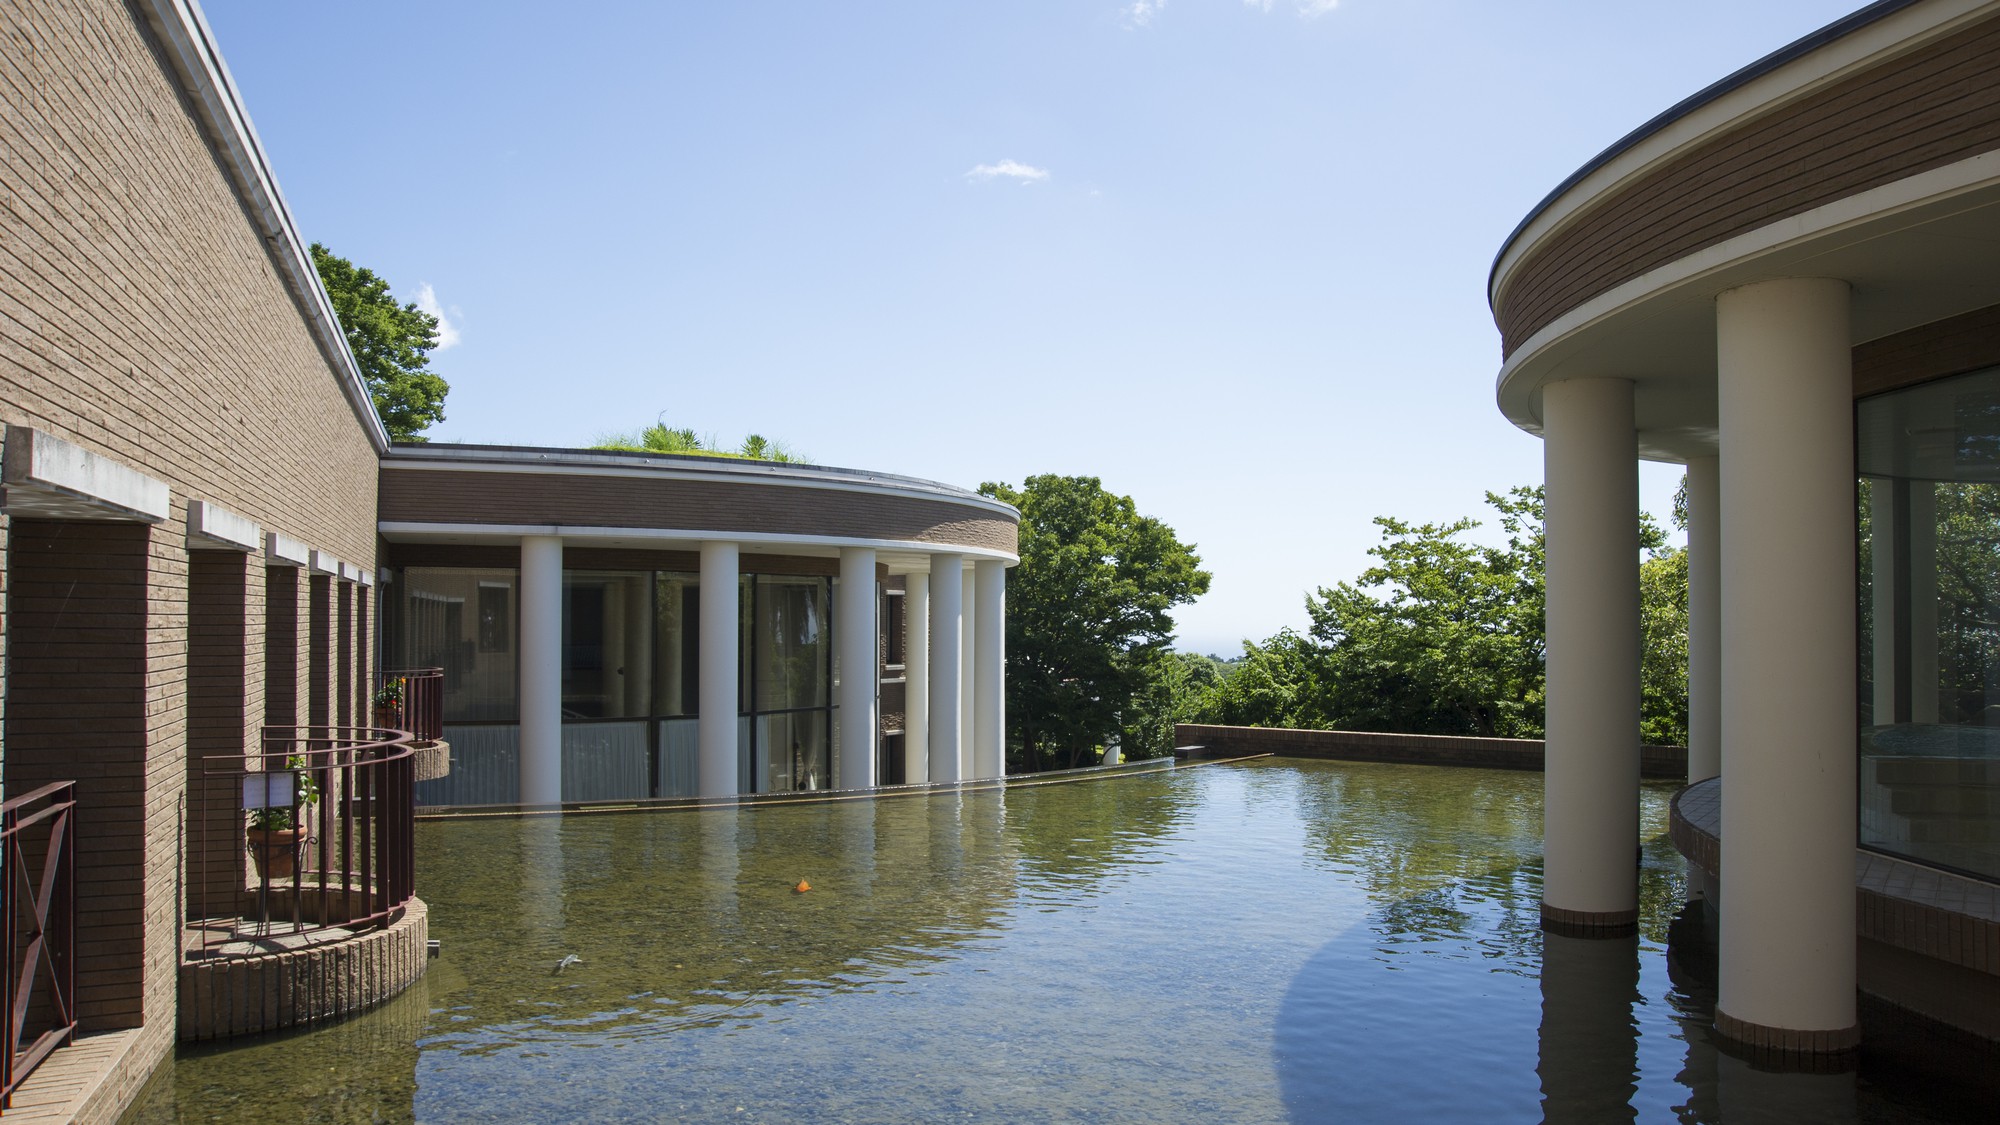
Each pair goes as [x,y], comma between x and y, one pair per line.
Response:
[1411,750]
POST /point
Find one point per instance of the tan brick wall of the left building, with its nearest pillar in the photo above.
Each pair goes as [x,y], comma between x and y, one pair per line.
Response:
[143,319]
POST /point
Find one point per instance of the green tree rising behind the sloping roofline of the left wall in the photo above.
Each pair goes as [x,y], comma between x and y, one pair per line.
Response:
[391,343]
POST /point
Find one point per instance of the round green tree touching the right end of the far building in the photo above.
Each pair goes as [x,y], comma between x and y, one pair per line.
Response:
[1089,616]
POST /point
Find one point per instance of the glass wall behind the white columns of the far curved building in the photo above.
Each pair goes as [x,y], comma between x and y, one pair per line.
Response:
[631,680]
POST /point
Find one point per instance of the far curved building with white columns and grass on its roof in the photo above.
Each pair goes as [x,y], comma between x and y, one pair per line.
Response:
[623,626]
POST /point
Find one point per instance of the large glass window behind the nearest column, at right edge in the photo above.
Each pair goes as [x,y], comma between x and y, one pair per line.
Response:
[1931,622]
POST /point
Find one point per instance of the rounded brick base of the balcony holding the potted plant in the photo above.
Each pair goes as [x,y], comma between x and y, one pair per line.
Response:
[265,992]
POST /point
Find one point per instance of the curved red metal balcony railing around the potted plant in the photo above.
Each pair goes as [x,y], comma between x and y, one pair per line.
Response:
[335,844]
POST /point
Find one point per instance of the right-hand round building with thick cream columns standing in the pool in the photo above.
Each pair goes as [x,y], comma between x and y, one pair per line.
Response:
[1789,285]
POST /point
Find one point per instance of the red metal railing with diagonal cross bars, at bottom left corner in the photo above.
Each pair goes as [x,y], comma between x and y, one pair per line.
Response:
[39,830]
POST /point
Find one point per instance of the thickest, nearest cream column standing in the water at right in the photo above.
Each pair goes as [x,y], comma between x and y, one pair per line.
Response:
[1787,415]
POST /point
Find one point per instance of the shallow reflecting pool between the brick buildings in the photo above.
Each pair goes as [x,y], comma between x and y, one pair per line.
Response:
[1263,942]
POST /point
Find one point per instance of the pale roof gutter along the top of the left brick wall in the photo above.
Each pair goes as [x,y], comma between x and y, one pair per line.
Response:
[191,47]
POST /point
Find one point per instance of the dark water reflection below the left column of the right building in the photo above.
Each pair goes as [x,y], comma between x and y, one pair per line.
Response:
[1589,1042]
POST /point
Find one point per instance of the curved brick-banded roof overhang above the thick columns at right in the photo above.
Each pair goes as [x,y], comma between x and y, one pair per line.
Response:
[1917,249]
